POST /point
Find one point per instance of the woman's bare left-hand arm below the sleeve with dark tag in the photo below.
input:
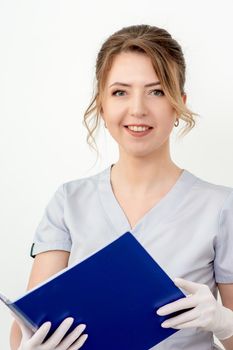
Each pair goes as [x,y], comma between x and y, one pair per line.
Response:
[45,265]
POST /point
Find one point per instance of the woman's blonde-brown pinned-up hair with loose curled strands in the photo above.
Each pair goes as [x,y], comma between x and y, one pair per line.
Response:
[167,59]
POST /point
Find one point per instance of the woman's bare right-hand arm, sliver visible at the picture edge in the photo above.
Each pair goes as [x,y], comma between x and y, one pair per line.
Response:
[226,293]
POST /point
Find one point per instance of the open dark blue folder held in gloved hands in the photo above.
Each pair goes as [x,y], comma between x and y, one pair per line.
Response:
[115,292]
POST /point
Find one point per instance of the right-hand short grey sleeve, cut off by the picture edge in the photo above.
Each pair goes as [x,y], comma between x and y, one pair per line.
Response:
[223,263]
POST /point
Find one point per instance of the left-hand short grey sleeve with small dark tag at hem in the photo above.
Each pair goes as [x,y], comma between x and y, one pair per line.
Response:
[52,232]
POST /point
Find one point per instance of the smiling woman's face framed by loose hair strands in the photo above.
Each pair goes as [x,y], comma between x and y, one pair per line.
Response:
[136,104]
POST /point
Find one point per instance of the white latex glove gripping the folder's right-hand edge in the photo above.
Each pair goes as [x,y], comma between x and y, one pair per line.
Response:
[207,314]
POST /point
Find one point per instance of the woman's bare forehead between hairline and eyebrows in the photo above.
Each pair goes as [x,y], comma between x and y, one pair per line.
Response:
[131,67]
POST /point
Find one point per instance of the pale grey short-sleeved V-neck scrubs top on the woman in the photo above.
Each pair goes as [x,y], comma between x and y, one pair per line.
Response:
[189,232]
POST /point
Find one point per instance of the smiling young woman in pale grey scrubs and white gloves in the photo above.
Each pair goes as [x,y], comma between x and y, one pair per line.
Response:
[184,222]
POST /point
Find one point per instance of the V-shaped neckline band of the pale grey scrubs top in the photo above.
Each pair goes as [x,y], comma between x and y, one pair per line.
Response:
[157,213]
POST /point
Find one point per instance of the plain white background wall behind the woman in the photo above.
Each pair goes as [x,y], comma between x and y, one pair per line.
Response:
[47,62]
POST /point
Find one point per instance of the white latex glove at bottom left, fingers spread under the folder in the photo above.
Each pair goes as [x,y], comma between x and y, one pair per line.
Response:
[33,341]
